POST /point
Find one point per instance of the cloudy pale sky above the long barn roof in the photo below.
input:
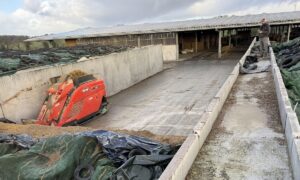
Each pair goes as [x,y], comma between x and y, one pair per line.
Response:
[38,17]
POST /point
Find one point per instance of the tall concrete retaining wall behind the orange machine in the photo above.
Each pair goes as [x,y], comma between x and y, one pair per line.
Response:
[22,94]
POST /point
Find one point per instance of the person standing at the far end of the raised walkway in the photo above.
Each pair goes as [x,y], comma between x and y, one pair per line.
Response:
[264,32]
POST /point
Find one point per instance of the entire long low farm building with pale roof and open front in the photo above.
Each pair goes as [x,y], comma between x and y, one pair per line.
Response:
[190,36]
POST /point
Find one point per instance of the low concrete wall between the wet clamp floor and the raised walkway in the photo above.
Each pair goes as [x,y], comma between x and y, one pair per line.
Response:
[180,165]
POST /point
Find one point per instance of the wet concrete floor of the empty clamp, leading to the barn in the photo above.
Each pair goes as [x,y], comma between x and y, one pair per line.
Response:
[169,103]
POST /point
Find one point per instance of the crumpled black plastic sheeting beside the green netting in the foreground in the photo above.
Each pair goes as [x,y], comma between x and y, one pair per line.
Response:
[138,158]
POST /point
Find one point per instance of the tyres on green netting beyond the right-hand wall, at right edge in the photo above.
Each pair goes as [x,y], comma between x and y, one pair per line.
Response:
[288,59]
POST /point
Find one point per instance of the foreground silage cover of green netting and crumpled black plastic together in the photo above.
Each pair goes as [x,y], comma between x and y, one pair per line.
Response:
[89,155]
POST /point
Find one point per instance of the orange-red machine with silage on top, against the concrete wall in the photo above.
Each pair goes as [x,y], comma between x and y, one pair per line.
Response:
[73,101]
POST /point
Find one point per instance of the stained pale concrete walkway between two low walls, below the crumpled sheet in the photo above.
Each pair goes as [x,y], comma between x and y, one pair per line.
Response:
[247,140]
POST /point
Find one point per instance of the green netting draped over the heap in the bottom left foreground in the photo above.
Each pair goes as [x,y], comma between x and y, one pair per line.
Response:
[54,158]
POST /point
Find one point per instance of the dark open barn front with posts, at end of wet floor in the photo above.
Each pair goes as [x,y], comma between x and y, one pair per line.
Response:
[213,42]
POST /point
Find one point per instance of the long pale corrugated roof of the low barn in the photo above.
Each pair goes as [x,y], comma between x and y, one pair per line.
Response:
[198,24]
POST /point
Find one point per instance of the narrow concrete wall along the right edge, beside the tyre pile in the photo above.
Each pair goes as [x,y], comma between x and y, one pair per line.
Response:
[289,119]
